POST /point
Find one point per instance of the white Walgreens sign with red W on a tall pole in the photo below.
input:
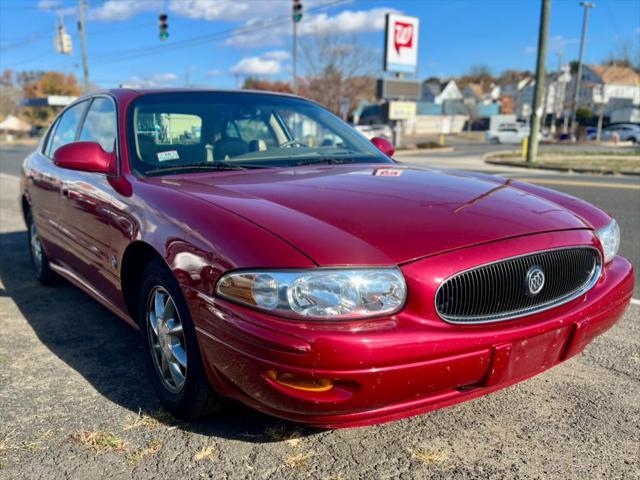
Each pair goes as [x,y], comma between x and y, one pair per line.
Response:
[401,43]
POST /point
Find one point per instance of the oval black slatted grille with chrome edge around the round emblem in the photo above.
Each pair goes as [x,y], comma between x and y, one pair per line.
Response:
[499,291]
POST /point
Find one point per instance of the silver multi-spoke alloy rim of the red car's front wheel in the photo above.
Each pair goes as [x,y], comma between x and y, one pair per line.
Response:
[166,338]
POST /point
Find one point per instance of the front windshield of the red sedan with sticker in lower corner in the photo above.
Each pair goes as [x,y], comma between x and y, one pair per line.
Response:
[174,132]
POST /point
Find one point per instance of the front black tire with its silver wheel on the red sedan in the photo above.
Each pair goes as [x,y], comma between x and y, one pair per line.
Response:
[194,398]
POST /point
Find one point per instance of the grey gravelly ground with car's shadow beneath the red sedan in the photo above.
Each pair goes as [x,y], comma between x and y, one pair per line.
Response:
[74,403]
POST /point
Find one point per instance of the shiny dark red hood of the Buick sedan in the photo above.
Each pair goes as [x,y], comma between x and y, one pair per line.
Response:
[377,215]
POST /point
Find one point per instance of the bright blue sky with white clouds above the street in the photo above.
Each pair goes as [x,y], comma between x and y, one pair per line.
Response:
[218,42]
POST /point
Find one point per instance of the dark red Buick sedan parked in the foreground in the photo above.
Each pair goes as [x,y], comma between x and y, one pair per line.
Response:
[269,253]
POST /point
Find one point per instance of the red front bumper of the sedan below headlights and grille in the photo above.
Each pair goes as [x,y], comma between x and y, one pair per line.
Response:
[394,367]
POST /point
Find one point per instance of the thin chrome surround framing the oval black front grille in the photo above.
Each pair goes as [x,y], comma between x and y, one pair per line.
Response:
[511,315]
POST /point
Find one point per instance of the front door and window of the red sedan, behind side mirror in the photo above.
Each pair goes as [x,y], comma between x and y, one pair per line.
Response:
[85,201]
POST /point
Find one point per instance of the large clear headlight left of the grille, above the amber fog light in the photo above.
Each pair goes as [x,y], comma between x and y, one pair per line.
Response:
[331,294]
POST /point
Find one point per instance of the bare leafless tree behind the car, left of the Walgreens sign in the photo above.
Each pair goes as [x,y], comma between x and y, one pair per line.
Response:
[336,66]
